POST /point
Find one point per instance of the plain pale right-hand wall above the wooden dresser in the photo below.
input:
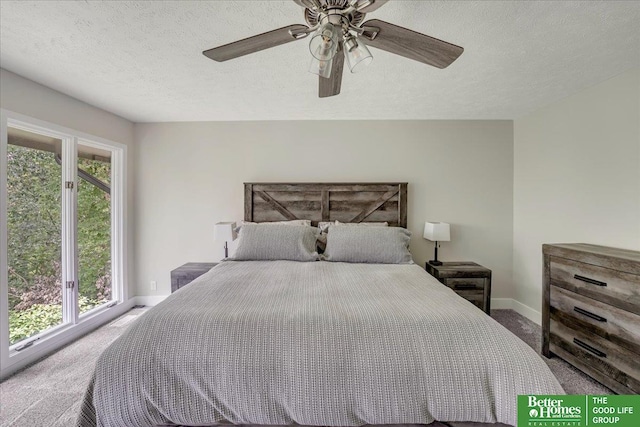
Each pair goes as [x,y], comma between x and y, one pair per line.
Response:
[576,177]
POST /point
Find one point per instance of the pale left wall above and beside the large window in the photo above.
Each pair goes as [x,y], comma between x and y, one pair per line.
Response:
[26,97]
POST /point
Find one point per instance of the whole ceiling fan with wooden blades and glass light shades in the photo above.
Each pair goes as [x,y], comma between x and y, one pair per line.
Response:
[339,34]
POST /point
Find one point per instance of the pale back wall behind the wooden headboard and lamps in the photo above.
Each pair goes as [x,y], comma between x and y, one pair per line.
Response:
[190,175]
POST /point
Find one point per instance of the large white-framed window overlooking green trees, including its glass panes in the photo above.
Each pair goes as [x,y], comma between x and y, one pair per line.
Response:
[61,222]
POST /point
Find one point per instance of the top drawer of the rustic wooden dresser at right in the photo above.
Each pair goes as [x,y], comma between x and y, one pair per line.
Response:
[612,287]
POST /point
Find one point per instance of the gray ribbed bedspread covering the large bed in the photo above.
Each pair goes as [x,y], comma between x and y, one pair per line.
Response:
[315,343]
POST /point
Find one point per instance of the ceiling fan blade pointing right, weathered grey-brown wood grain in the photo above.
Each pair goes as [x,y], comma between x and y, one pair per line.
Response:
[410,44]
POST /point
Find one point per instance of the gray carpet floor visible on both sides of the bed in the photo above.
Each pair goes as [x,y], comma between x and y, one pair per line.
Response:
[49,392]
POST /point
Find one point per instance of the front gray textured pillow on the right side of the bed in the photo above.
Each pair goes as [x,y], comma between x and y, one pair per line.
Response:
[379,245]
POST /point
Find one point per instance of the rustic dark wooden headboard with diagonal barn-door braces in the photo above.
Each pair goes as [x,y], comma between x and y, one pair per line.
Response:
[345,202]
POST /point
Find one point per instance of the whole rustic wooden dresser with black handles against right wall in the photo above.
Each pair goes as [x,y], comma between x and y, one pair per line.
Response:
[591,311]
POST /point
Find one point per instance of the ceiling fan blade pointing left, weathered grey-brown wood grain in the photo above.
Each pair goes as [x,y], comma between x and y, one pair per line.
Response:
[254,44]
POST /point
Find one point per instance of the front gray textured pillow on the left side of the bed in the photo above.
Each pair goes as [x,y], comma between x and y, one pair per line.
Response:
[276,242]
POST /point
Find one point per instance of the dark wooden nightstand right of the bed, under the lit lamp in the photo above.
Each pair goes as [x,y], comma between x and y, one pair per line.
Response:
[468,279]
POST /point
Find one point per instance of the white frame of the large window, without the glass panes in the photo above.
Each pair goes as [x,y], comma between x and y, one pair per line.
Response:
[76,325]
